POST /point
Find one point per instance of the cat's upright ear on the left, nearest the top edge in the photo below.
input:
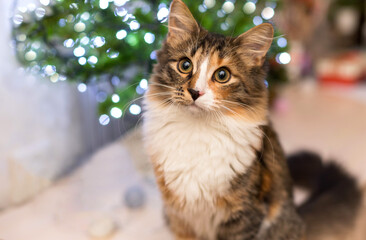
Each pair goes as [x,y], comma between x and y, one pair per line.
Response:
[181,22]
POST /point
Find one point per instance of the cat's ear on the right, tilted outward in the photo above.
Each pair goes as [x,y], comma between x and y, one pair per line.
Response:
[255,43]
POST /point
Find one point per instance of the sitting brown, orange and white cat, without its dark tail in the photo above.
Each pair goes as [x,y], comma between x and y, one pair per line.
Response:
[218,162]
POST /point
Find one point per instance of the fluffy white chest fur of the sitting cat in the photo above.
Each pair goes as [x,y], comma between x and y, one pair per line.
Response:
[199,156]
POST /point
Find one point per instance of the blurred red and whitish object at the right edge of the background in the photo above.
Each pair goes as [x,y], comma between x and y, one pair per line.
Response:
[348,68]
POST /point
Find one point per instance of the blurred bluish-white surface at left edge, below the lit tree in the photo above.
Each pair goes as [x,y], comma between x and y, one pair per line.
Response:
[40,125]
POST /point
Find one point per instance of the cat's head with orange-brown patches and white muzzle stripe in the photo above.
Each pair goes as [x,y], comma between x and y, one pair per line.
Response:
[205,73]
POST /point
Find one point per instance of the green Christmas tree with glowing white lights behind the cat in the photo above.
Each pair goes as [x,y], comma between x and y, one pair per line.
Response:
[112,43]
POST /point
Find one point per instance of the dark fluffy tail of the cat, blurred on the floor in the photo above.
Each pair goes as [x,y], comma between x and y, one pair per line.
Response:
[335,198]
